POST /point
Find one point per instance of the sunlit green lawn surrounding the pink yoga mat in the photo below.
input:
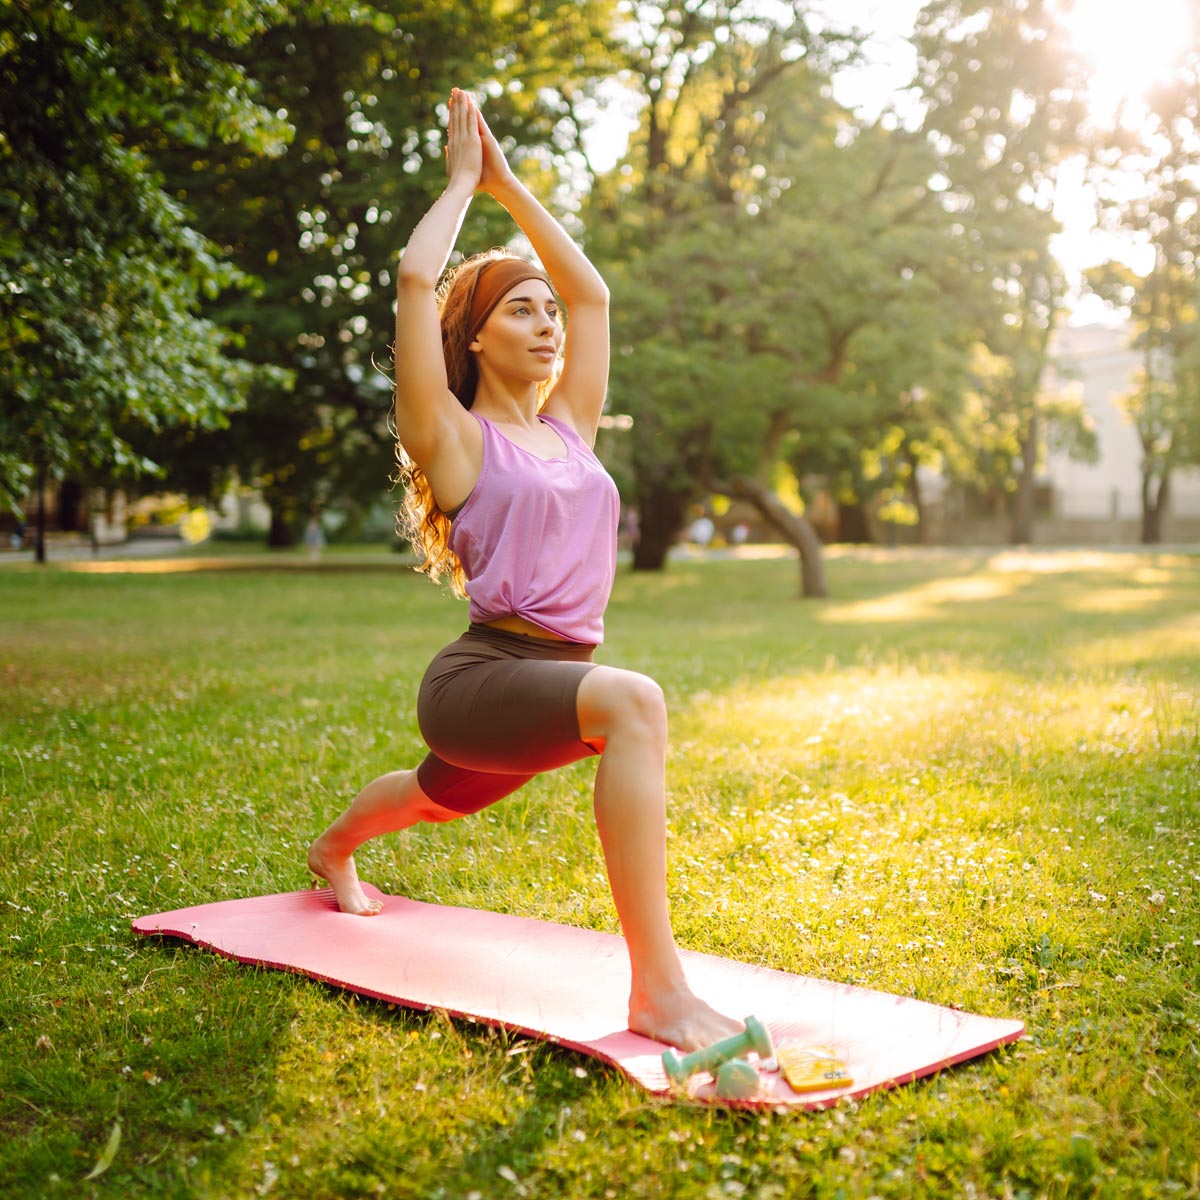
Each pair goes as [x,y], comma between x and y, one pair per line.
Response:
[968,778]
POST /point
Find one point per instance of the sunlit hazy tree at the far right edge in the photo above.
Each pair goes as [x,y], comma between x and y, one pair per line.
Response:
[1162,152]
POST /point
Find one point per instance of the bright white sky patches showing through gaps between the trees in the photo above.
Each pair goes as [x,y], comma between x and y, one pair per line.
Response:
[1130,45]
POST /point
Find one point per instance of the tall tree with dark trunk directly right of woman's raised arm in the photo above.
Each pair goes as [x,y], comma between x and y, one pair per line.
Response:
[705,76]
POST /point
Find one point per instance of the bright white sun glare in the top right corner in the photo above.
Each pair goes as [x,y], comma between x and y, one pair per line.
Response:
[1131,47]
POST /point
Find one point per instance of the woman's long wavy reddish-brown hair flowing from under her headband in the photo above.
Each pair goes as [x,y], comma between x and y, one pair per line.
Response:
[419,519]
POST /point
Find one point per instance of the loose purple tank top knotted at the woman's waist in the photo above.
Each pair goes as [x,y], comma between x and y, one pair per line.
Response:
[538,538]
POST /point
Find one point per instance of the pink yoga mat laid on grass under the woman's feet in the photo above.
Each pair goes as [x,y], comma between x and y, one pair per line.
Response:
[572,987]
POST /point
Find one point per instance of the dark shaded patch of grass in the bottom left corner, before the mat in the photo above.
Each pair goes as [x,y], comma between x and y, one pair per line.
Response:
[183,1060]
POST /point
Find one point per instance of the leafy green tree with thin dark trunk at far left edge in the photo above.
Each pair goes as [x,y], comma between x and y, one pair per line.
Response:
[101,274]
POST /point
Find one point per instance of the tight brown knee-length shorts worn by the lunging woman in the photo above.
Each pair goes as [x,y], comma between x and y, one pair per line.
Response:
[497,709]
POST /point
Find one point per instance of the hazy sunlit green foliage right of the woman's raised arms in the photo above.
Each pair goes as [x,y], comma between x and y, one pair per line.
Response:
[800,284]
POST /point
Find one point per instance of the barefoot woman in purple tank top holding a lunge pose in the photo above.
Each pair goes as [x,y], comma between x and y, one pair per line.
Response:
[507,497]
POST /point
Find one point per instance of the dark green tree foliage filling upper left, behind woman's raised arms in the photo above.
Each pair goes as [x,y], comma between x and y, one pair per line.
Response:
[262,164]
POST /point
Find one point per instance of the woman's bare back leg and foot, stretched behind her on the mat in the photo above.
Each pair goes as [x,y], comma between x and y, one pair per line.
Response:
[387,805]
